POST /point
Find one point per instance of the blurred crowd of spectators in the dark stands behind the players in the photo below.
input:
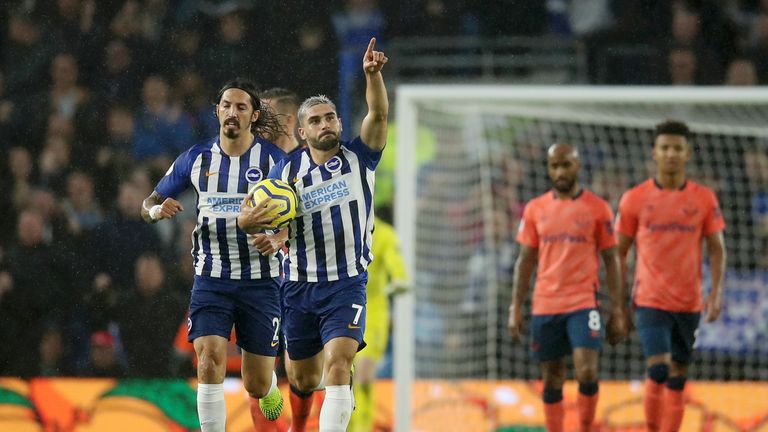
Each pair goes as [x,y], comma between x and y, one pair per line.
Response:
[98,97]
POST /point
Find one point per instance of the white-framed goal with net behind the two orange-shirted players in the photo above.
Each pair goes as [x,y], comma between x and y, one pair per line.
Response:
[457,215]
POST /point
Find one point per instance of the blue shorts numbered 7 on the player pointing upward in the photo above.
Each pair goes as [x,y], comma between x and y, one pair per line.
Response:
[316,312]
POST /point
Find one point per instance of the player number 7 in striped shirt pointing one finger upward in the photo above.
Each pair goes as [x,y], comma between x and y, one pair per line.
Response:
[329,243]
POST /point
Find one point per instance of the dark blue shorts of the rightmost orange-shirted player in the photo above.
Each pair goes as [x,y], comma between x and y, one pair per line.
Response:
[667,332]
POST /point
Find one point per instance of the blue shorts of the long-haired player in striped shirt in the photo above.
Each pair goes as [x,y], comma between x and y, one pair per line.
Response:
[252,306]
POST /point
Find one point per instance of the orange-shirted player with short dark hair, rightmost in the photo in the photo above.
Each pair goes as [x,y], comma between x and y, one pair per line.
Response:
[668,217]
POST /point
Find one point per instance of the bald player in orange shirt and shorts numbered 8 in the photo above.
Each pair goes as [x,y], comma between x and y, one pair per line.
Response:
[565,230]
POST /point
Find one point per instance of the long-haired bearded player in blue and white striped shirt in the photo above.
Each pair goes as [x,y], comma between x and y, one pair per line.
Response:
[234,284]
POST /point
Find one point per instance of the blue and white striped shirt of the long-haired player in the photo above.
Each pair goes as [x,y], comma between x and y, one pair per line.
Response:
[221,249]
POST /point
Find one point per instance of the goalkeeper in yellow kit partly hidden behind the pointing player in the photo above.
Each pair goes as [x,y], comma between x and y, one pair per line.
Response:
[386,275]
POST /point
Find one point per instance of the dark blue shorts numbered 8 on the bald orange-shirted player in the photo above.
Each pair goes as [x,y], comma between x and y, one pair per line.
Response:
[555,336]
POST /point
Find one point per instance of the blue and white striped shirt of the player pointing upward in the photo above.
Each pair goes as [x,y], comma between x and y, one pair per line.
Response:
[330,238]
